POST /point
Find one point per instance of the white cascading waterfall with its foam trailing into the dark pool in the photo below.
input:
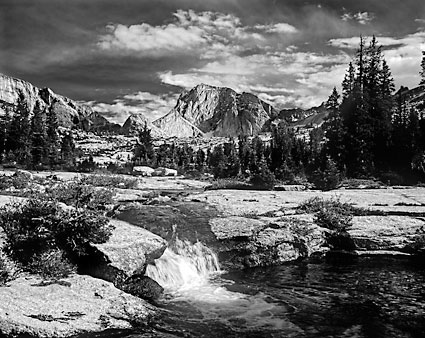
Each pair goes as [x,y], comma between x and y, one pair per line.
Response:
[190,273]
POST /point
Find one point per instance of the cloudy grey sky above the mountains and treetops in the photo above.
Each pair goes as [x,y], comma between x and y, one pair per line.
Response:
[125,56]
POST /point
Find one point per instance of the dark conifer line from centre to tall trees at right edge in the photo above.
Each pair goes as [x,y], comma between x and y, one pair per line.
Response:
[370,132]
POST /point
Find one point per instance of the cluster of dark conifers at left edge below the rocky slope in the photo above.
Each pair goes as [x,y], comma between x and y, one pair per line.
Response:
[34,140]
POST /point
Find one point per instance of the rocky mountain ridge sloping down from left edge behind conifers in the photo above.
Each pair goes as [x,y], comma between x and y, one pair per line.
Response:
[69,112]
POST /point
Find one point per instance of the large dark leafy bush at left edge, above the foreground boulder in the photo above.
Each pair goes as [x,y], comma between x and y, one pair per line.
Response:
[37,228]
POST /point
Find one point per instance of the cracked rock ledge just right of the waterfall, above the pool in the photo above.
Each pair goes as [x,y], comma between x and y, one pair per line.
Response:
[246,242]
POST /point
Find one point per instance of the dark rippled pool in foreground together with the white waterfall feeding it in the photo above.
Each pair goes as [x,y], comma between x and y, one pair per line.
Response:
[366,297]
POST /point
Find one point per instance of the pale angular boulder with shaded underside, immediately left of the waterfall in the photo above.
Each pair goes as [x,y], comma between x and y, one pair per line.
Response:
[126,253]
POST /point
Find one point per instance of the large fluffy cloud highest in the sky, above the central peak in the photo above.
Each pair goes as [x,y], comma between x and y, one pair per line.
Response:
[207,34]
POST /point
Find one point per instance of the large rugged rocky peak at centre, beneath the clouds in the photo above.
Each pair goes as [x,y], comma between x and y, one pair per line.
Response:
[216,111]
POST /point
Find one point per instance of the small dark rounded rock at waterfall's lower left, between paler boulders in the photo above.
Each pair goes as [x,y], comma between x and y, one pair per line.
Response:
[142,287]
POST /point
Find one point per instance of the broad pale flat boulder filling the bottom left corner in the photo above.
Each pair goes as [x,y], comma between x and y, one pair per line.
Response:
[76,305]
